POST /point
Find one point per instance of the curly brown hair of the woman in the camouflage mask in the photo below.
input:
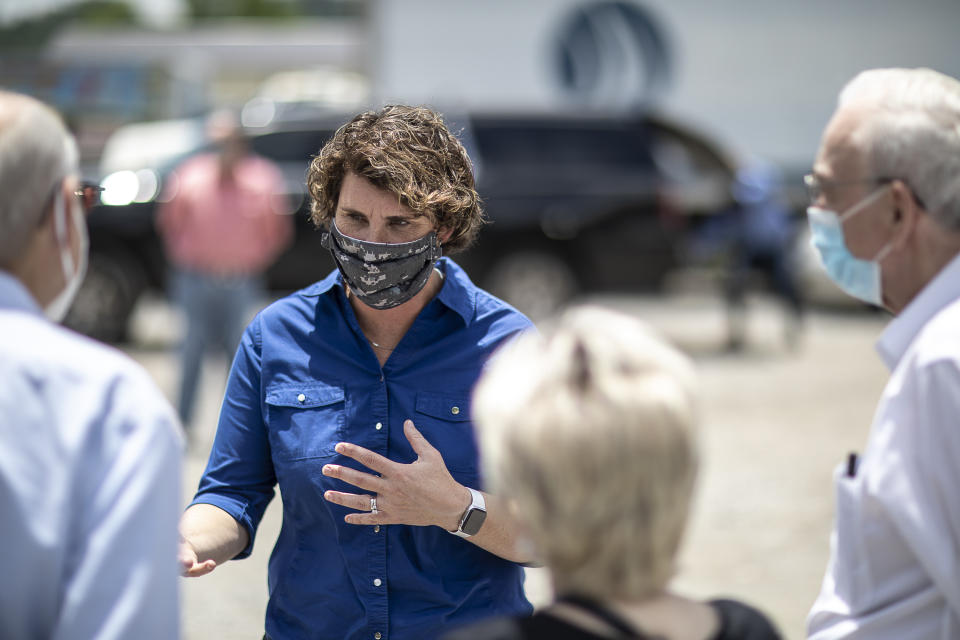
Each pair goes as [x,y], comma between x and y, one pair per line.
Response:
[410,152]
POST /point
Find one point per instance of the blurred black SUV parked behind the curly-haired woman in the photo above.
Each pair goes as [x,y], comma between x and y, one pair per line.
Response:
[576,203]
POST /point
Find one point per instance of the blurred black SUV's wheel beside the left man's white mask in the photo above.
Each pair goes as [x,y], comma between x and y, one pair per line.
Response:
[106,298]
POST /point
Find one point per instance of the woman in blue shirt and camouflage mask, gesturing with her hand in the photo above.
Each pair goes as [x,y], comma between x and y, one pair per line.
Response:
[353,395]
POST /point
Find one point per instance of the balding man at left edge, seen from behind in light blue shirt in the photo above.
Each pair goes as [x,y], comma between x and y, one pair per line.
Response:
[89,448]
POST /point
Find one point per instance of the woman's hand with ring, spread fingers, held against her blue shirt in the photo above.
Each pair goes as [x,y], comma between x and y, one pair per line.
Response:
[421,493]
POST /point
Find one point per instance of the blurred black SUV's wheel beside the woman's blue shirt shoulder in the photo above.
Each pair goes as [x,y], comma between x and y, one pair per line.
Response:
[535,282]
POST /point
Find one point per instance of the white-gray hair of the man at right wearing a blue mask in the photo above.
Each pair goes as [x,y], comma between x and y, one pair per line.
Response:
[912,133]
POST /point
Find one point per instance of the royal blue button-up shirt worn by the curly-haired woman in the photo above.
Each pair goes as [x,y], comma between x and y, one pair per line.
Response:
[304,379]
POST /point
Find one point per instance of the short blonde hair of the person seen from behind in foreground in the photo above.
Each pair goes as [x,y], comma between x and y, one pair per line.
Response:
[588,427]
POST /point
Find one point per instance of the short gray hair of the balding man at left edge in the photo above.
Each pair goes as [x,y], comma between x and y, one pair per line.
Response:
[36,153]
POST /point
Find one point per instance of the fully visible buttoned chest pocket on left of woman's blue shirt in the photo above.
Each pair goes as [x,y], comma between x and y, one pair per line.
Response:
[305,420]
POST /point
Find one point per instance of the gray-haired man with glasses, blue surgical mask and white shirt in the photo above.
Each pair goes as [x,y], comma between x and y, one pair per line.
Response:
[885,217]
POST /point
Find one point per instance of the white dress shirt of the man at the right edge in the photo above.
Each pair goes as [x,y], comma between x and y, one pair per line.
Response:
[894,570]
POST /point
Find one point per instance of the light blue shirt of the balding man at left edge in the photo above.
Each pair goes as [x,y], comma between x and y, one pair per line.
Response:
[90,456]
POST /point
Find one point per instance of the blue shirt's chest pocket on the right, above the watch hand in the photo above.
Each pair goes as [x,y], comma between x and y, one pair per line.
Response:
[444,420]
